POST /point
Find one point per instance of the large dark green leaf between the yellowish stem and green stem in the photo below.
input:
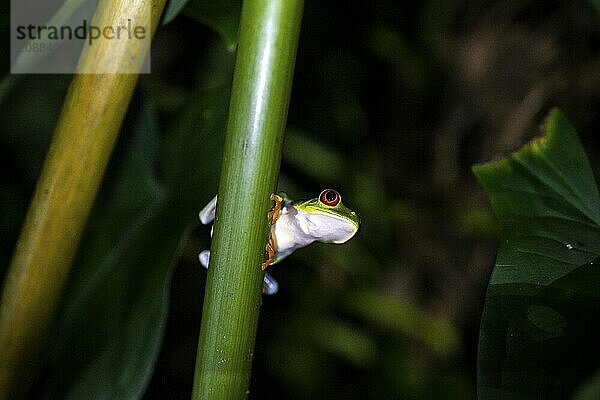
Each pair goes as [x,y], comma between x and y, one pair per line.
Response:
[111,326]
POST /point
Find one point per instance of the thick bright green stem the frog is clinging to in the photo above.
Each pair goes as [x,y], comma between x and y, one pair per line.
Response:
[269,31]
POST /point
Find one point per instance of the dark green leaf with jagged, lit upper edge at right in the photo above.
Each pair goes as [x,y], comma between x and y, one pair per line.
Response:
[540,323]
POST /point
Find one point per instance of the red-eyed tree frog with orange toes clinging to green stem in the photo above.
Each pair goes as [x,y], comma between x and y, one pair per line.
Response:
[295,224]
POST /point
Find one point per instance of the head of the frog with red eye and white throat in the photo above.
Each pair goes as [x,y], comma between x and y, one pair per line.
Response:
[330,220]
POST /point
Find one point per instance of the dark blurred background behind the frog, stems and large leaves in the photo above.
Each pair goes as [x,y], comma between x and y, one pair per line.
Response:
[392,103]
